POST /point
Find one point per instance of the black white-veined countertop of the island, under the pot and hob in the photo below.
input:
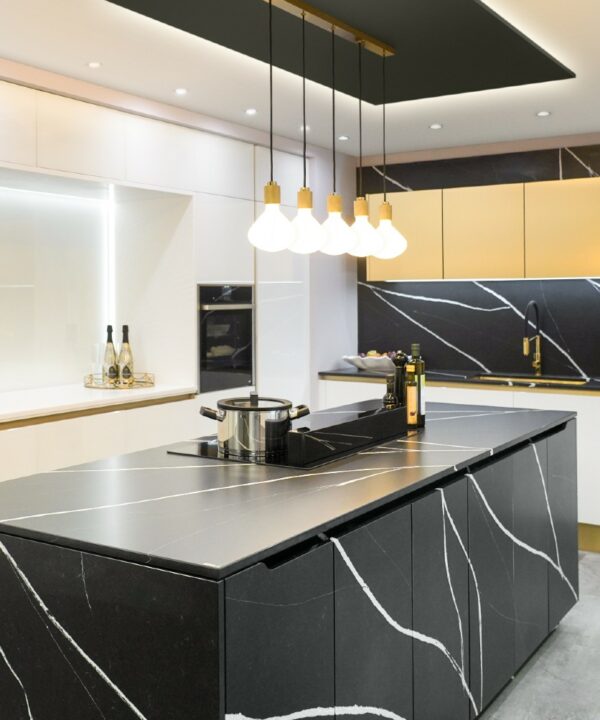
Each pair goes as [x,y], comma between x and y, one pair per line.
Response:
[213,518]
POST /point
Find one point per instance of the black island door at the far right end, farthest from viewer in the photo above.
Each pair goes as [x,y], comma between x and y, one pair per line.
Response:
[562,497]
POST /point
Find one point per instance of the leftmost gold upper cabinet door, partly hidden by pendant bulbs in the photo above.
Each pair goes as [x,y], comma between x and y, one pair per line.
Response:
[418,216]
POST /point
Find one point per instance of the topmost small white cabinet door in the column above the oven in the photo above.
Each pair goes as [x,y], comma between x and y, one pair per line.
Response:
[224,166]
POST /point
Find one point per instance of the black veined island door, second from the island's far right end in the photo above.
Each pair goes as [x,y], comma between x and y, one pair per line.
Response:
[532,529]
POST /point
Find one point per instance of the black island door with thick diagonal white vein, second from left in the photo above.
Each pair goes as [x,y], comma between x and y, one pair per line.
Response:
[373,618]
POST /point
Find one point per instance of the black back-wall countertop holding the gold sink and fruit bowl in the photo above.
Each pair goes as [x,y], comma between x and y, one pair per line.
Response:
[450,376]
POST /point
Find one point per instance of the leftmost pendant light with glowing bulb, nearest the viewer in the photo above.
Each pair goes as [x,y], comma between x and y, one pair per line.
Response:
[271,231]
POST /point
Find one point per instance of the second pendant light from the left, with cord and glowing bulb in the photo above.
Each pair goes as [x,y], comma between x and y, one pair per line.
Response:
[308,235]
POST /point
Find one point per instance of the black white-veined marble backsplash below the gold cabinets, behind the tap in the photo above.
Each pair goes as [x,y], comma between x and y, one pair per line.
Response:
[478,326]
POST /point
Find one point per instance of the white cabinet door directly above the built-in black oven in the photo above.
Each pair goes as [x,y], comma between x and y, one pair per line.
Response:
[223,253]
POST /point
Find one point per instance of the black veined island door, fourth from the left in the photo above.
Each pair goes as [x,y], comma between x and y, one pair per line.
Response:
[492,603]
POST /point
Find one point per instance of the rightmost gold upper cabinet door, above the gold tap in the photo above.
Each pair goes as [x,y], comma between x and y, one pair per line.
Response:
[562,228]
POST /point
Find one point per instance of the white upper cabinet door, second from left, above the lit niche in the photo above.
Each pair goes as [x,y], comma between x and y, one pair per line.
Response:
[79,137]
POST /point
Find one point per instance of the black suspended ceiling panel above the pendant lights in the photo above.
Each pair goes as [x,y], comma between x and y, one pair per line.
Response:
[443,47]
